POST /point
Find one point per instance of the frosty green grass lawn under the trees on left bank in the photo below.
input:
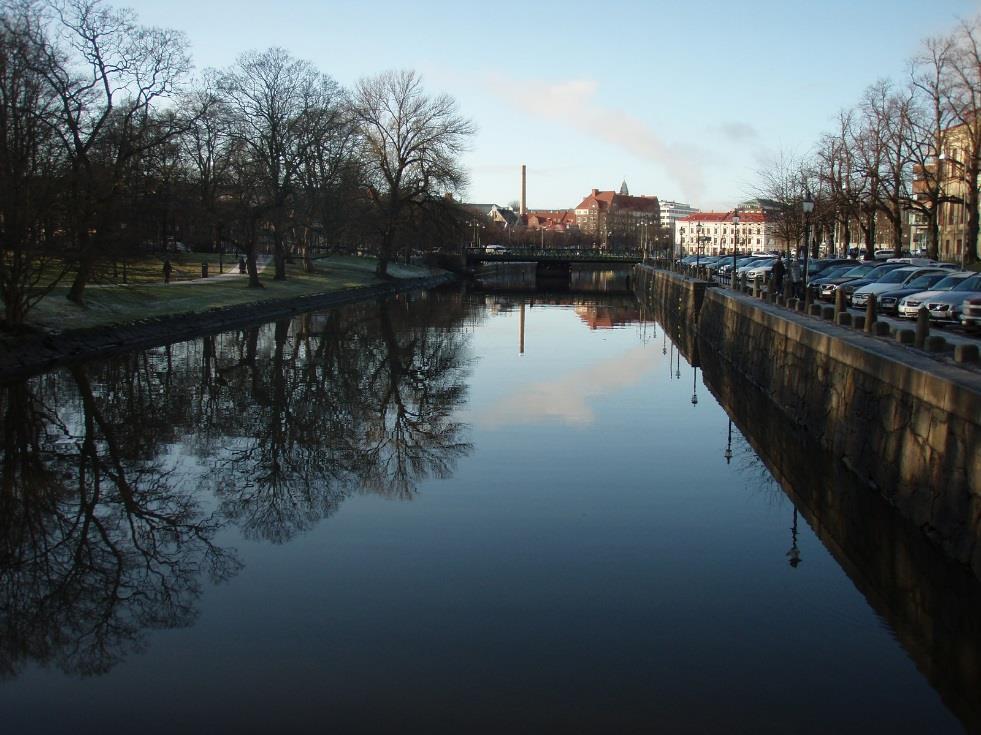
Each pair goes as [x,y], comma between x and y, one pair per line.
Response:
[121,303]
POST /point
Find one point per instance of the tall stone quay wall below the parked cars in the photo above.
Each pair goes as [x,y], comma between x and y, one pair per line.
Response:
[901,421]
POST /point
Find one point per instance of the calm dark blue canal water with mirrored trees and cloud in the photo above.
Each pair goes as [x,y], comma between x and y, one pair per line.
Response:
[500,511]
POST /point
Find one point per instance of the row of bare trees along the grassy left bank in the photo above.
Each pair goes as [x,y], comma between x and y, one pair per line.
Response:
[108,145]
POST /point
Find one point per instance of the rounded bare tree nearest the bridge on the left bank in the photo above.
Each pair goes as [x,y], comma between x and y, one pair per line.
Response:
[411,147]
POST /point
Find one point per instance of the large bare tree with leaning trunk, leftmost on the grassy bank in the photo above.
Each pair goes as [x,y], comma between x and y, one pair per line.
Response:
[107,73]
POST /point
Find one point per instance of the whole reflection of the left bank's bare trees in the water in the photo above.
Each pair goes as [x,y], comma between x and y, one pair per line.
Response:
[103,530]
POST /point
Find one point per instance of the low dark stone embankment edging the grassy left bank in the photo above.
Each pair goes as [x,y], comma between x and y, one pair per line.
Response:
[35,353]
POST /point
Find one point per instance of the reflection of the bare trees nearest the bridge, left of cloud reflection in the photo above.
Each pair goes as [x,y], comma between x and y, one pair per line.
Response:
[356,399]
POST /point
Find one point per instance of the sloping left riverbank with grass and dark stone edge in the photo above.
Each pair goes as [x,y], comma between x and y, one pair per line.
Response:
[124,318]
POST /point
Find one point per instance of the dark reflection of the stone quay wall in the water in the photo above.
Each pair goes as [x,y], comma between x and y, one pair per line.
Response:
[930,603]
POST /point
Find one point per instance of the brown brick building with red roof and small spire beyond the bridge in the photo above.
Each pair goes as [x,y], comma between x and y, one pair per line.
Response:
[617,219]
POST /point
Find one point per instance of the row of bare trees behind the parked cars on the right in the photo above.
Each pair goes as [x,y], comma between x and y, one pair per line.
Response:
[907,147]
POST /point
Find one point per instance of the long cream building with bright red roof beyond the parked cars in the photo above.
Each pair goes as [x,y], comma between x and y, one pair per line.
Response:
[714,230]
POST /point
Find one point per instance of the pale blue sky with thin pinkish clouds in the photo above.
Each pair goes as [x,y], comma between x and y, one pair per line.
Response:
[687,101]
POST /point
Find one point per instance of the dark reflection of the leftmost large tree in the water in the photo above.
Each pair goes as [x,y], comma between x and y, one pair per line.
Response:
[97,543]
